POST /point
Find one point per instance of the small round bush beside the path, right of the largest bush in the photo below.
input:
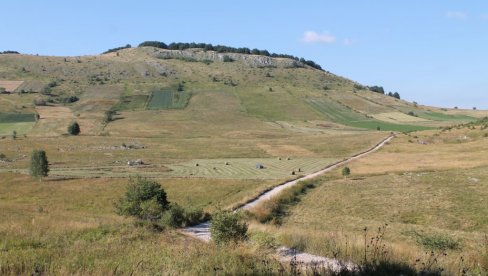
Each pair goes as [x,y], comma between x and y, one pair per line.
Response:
[227,227]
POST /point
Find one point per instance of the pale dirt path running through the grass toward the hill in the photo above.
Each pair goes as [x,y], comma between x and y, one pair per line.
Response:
[202,231]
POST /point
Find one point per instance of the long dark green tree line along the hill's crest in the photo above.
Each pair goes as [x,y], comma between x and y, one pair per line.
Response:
[225,49]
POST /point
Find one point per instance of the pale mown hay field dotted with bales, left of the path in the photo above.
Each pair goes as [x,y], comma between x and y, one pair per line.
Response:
[246,168]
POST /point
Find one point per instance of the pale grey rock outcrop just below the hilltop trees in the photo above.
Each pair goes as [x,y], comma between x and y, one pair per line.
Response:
[250,60]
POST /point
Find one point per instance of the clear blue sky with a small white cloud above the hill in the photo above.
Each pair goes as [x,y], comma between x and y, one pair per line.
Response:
[433,52]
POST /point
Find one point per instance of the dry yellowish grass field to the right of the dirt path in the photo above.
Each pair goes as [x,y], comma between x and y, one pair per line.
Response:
[442,211]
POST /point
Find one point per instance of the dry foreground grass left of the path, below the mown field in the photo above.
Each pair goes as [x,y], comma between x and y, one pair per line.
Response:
[69,227]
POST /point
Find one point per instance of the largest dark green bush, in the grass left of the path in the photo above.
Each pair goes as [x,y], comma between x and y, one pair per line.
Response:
[144,199]
